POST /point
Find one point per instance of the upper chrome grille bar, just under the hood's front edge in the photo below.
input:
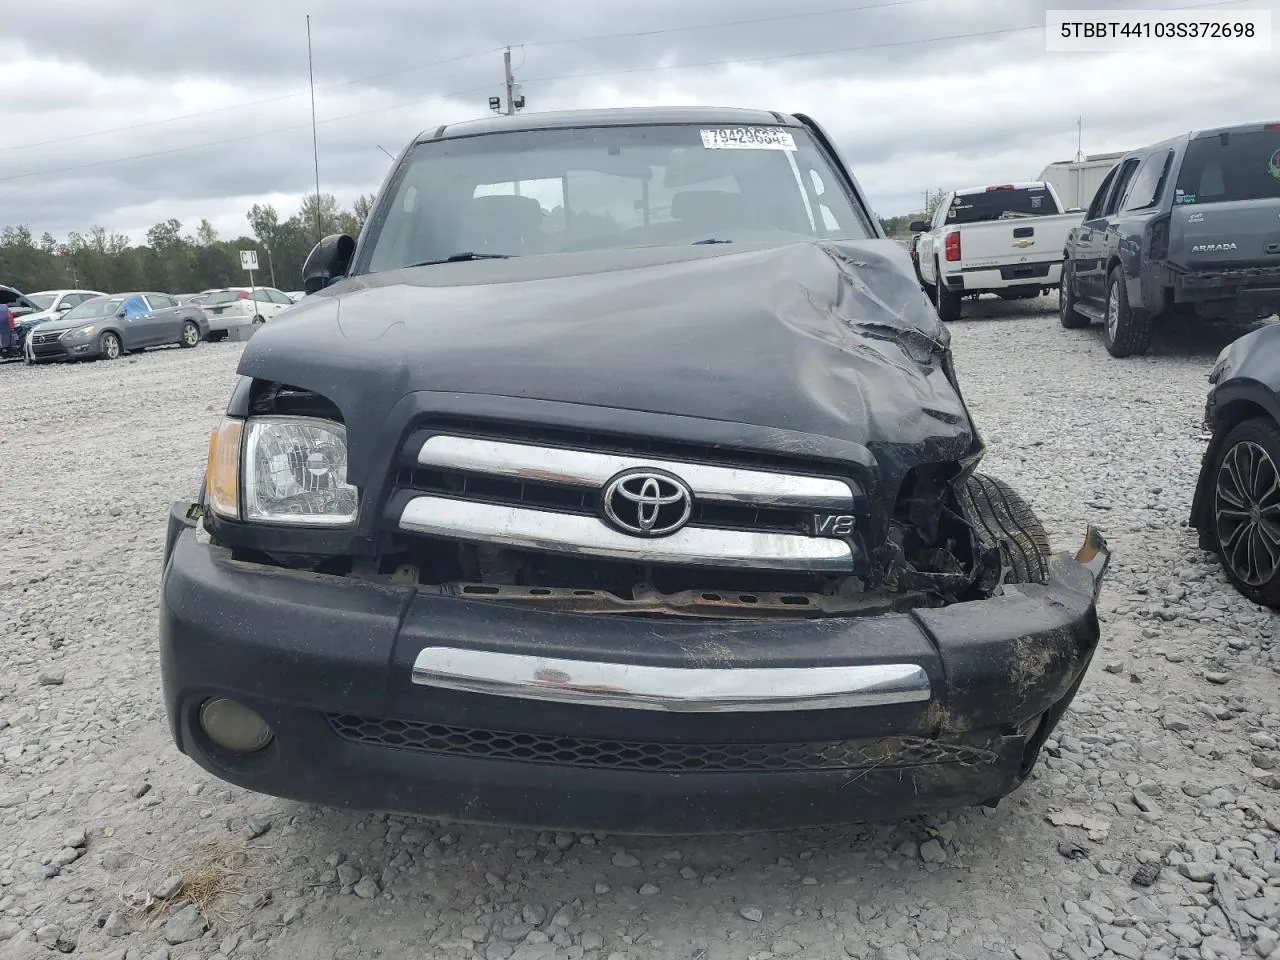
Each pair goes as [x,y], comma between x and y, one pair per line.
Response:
[591,469]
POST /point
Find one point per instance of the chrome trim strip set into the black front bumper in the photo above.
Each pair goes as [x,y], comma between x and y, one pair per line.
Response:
[671,689]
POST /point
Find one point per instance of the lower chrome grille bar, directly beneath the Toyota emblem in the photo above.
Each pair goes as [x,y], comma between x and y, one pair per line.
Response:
[588,537]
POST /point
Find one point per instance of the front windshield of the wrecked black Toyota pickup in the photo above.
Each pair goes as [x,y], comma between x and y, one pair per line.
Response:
[610,188]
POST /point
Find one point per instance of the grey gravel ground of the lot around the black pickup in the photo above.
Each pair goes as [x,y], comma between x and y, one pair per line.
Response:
[1150,830]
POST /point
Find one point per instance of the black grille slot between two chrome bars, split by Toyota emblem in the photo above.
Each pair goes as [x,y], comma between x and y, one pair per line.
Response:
[586,501]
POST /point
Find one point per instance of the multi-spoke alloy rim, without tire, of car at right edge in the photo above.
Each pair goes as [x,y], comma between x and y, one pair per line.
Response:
[1247,511]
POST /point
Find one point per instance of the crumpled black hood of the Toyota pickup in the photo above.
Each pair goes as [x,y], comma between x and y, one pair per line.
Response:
[830,339]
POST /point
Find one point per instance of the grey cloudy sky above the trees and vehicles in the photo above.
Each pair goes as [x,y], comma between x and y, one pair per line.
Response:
[124,113]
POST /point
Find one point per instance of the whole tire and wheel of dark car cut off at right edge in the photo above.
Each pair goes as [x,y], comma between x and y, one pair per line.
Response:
[1255,444]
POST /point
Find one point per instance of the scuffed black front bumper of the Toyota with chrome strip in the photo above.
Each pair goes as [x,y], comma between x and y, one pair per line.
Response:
[391,700]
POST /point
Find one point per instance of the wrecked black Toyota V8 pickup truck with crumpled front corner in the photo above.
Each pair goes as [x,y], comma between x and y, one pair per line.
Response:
[618,478]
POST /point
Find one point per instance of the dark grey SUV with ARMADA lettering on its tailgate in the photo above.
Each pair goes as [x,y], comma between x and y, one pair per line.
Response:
[1188,227]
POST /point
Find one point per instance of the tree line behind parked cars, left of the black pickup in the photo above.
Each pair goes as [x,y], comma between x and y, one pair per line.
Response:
[172,260]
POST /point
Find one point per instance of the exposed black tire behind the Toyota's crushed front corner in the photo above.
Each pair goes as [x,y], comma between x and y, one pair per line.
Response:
[1002,519]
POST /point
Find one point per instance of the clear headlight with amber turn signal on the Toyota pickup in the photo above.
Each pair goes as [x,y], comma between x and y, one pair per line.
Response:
[281,470]
